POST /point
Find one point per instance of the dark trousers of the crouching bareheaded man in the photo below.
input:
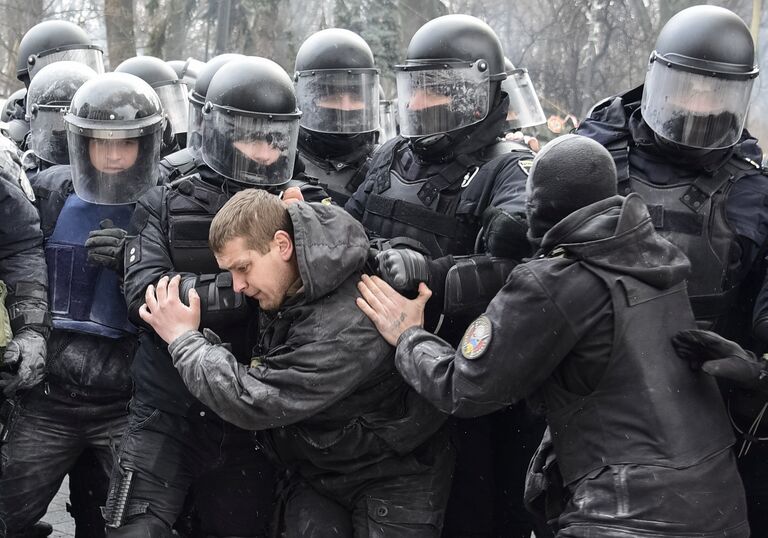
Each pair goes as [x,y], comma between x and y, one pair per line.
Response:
[397,497]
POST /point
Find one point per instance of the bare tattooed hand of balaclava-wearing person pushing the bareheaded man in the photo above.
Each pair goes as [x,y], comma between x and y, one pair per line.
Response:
[392,313]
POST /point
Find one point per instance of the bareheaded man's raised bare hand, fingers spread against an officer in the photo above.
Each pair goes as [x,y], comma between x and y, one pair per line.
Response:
[164,311]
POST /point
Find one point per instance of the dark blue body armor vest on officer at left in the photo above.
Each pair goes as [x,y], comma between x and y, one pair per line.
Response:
[85,297]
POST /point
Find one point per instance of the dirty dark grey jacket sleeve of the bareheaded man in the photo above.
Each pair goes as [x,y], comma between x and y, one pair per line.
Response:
[330,349]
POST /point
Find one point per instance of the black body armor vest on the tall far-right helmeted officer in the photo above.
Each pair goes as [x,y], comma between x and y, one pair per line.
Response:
[692,216]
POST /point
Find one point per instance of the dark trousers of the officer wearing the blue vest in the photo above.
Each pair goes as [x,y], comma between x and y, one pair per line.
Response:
[51,435]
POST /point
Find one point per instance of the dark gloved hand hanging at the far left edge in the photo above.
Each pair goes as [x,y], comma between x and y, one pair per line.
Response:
[26,354]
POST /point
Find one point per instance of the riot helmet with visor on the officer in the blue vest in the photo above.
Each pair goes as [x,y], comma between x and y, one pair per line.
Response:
[115,127]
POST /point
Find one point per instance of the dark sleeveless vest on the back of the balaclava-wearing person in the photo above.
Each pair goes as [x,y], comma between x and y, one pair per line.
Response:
[646,397]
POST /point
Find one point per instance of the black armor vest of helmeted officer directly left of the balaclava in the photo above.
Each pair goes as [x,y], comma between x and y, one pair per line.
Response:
[428,209]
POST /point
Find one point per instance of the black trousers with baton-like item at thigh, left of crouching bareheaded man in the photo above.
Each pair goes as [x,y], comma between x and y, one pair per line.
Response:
[164,457]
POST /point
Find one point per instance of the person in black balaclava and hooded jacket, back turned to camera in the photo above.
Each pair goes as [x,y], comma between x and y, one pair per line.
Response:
[584,330]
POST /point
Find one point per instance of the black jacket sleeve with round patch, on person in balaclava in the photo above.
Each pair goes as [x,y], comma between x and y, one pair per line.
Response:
[531,333]
